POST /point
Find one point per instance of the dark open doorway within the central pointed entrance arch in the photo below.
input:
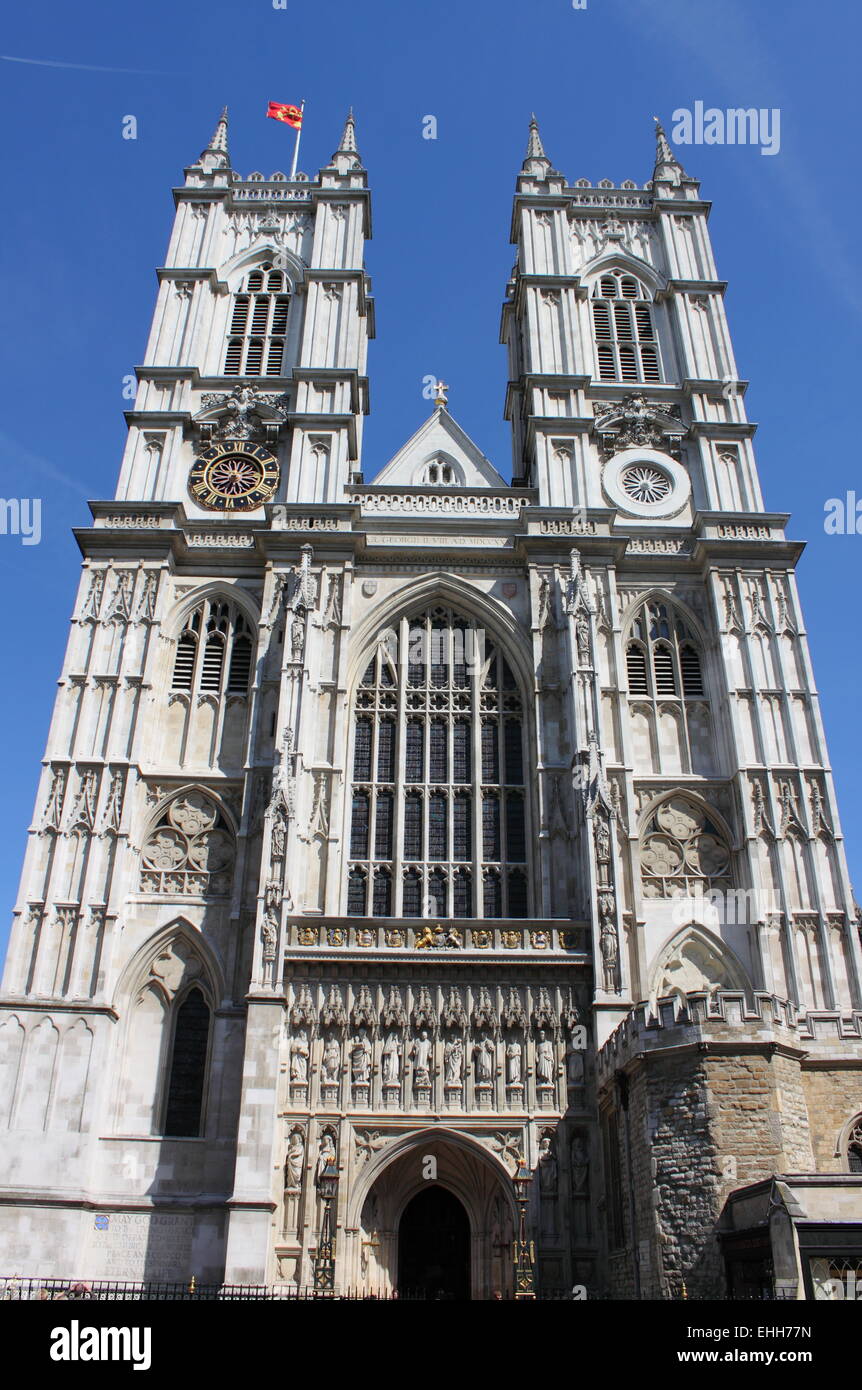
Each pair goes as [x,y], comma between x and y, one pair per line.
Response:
[434,1248]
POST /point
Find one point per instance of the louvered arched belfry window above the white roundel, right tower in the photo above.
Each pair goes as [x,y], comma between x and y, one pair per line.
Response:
[624,323]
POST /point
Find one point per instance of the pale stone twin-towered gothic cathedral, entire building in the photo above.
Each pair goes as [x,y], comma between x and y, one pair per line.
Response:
[404,831]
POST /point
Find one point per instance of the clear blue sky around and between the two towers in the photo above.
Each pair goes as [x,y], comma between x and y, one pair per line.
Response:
[88,215]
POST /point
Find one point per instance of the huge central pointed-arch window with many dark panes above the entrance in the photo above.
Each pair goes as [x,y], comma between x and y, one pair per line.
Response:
[439,808]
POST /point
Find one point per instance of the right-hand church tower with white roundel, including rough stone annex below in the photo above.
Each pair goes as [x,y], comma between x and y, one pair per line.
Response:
[728,956]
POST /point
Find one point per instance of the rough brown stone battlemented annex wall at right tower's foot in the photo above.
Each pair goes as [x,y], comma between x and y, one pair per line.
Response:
[717,1100]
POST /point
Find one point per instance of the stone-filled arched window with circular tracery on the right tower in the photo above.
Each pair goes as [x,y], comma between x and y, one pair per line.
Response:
[683,853]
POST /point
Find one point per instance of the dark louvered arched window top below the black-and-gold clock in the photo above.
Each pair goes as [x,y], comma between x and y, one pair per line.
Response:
[215,651]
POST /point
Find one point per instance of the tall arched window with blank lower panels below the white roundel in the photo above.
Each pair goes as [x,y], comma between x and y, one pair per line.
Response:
[667,693]
